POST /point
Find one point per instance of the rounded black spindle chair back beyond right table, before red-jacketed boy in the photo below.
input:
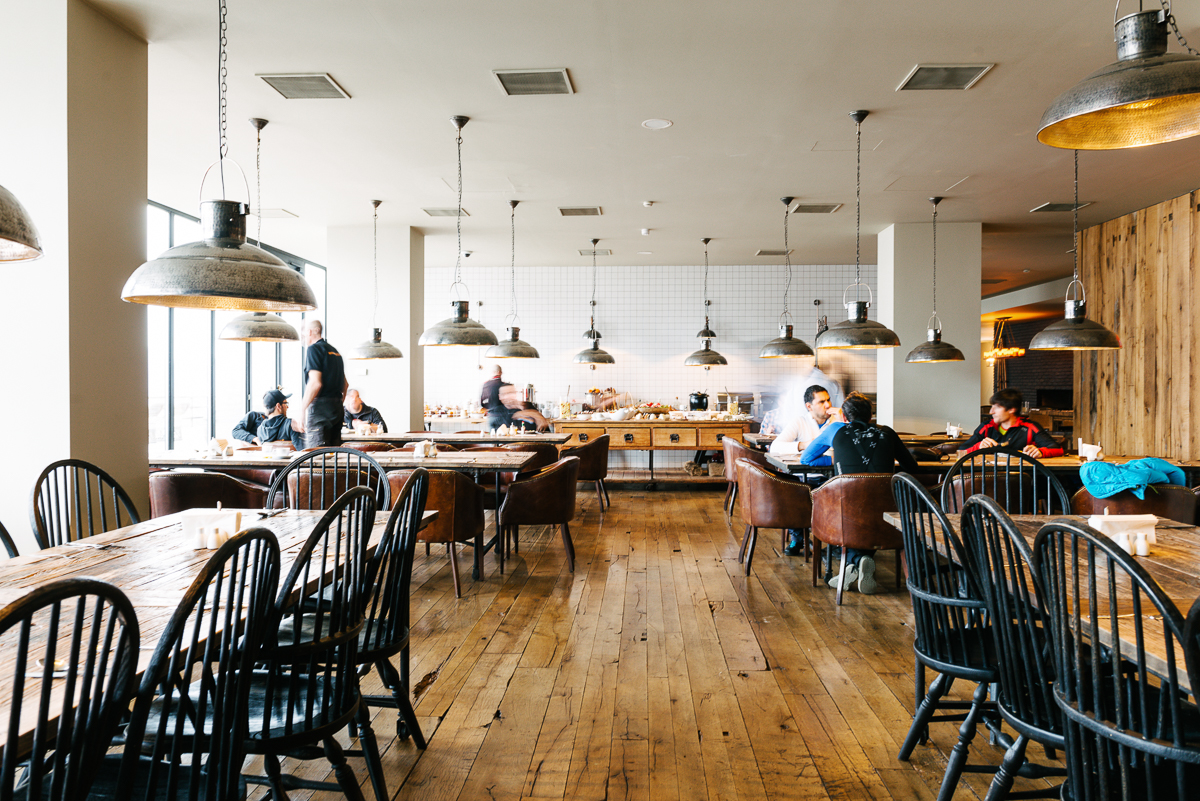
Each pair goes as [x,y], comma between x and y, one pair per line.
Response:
[1021,484]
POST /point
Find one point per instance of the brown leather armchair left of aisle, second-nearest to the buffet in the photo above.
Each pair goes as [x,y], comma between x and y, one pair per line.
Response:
[547,498]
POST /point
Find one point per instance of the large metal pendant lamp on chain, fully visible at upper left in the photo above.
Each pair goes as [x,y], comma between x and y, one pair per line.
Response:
[221,272]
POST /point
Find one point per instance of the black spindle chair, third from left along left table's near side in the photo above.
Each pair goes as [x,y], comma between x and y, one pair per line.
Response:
[308,689]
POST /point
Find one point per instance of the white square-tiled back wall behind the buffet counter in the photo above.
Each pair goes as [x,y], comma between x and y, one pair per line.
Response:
[650,318]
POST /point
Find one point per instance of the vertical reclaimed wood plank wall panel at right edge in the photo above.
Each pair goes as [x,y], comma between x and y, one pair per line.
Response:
[1139,274]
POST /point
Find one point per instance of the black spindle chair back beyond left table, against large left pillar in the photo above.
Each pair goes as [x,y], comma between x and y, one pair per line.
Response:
[75,499]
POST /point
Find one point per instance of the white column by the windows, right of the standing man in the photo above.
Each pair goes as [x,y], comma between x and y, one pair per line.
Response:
[395,387]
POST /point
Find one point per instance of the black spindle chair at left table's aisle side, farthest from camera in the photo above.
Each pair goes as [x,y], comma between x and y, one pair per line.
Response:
[386,634]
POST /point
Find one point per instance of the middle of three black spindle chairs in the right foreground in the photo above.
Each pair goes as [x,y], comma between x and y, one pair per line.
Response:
[1025,696]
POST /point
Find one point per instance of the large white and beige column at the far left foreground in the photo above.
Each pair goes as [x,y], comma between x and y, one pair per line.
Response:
[75,153]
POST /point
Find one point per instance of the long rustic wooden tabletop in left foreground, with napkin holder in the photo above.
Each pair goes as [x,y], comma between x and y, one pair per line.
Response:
[154,565]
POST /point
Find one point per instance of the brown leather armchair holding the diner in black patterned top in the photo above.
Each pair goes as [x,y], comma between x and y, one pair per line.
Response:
[848,511]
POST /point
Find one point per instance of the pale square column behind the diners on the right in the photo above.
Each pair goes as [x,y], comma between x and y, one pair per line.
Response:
[922,399]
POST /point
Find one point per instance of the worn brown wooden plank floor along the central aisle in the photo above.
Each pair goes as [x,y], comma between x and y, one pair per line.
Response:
[658,671]
